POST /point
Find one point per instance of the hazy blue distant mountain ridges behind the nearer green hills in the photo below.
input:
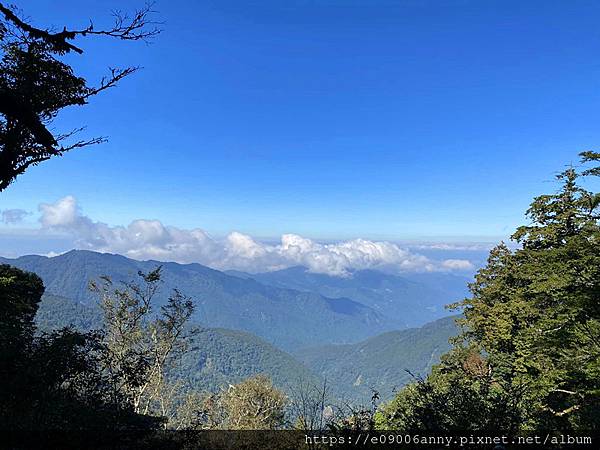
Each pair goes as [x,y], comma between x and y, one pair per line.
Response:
[291,309]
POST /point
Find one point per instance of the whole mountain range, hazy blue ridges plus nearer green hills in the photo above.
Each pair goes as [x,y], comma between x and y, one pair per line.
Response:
[291,324]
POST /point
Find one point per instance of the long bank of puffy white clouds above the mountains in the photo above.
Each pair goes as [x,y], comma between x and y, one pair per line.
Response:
[151,239]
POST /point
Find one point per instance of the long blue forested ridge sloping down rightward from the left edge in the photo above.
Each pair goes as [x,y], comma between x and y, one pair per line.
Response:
[288,318]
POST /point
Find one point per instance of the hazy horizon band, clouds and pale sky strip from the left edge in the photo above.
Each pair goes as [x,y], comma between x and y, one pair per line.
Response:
[61,226]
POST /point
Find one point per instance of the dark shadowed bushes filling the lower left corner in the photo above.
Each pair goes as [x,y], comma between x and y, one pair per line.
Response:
[53,380]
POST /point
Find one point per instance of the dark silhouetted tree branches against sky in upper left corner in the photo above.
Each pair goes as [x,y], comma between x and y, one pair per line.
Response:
[35,85]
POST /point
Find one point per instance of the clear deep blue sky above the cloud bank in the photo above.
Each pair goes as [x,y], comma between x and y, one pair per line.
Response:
[395,120]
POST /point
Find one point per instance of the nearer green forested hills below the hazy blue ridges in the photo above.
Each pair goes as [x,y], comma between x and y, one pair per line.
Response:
[219,357]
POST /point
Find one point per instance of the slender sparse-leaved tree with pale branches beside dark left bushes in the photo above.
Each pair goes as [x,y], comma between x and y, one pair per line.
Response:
[141,347]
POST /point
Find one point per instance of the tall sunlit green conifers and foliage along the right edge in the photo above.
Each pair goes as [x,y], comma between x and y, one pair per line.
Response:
[529,354]
